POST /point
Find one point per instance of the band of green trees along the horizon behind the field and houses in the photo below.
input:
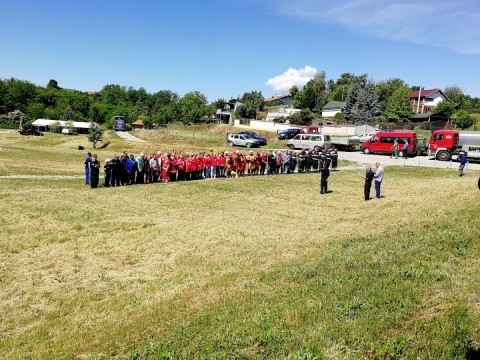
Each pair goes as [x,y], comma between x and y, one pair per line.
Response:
[366,102]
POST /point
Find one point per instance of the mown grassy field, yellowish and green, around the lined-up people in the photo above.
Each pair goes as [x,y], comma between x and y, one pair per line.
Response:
[251,268]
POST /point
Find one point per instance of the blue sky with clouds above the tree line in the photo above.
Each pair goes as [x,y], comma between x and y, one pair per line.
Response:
[224,48]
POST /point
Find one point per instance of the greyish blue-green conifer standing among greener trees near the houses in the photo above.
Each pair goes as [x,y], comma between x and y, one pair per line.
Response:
[362,102]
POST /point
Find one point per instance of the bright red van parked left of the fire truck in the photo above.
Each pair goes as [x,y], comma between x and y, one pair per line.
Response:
[382,143]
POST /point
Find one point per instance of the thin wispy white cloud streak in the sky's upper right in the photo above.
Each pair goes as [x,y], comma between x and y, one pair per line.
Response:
[444,23]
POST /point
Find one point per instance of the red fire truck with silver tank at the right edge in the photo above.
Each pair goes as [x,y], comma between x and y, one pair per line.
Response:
[444,144]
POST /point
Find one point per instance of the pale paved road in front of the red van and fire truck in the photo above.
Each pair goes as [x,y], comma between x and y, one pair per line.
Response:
[423,161]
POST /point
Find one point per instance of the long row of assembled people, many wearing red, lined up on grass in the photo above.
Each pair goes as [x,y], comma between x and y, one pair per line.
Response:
[128,169]
